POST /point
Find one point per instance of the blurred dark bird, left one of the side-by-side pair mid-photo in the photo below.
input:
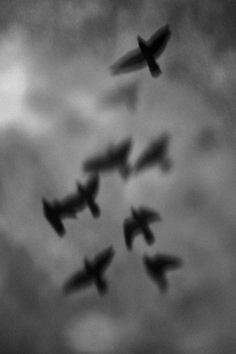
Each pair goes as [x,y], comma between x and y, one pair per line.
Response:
[114,158]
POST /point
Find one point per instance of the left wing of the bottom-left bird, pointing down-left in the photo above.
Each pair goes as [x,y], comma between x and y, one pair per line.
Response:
[77,281]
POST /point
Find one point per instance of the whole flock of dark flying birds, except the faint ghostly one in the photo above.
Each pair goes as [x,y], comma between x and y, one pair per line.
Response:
[116,158]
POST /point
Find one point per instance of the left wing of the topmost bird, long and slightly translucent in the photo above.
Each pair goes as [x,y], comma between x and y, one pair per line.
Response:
[133,60]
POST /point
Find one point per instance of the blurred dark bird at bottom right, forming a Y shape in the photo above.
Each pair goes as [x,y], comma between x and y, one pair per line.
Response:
[158,265]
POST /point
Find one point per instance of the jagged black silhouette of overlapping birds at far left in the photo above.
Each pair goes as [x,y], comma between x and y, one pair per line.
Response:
[69,206]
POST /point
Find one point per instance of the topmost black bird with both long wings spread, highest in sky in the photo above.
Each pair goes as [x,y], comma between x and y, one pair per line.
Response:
[145,55]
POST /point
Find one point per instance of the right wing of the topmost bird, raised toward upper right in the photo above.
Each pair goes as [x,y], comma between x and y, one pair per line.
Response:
[159,39]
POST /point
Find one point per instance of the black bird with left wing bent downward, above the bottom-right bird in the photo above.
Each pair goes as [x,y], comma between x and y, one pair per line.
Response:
[138,223]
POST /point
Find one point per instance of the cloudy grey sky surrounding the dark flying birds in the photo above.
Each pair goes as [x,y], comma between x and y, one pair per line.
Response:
[59,104]
